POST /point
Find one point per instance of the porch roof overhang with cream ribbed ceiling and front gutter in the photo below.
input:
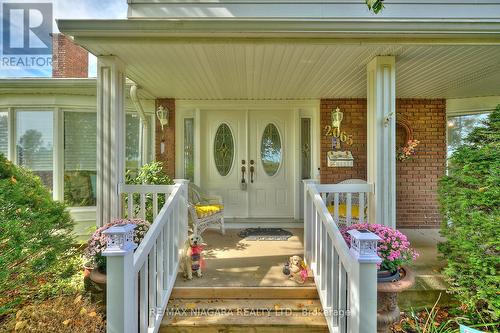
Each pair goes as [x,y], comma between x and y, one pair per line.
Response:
[297,59]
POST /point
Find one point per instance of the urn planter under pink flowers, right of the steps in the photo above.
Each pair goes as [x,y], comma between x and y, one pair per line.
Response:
[387,299]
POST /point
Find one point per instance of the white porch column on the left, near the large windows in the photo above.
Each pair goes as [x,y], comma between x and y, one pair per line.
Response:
[110,136]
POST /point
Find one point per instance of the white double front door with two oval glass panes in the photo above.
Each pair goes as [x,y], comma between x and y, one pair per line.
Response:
[246,157]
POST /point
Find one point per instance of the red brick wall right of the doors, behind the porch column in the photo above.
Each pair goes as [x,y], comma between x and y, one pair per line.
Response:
[416,179]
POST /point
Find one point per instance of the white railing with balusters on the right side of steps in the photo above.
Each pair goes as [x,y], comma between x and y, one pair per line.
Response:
[347,285]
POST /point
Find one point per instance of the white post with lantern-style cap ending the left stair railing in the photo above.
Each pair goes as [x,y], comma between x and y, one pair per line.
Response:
[121,289]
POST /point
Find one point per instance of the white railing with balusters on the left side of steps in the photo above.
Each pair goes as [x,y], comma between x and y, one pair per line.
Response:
[139,283]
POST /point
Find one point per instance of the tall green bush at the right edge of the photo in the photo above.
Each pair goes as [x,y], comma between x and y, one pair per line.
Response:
[470,204]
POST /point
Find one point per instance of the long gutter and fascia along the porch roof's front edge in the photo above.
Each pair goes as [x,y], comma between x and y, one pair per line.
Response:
[376,30]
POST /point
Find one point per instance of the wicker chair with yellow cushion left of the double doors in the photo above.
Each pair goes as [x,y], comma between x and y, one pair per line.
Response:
[205,210]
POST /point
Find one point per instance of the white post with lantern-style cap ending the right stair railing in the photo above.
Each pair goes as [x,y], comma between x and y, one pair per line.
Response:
[363,282]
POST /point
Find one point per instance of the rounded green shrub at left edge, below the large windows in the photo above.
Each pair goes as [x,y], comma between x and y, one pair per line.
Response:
[35,234]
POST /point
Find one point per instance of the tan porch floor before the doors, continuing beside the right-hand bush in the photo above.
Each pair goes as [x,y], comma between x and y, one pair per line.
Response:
[235,262]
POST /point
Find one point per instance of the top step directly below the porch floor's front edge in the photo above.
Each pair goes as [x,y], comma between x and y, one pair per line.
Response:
[298,292]
